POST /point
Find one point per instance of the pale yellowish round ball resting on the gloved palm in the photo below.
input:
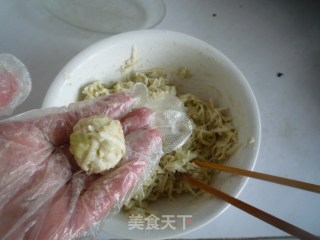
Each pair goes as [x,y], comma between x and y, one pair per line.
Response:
[97,143]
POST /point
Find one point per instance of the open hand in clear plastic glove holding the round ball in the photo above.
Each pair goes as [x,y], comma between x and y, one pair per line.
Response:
[43,193]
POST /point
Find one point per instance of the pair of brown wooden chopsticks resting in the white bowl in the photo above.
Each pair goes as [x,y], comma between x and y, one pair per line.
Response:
[276,222]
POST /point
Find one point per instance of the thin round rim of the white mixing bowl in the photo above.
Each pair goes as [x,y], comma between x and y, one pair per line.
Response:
[77,59]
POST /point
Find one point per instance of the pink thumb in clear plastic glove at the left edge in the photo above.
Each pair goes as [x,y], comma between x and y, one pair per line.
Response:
[15,83]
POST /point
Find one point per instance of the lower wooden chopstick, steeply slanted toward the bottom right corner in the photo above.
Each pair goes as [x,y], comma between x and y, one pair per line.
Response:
[272,220]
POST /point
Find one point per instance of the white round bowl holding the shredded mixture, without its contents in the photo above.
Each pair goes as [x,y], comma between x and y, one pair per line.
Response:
[213,75]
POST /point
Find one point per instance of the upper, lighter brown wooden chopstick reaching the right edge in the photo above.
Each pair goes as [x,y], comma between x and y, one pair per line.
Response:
[266,177]
